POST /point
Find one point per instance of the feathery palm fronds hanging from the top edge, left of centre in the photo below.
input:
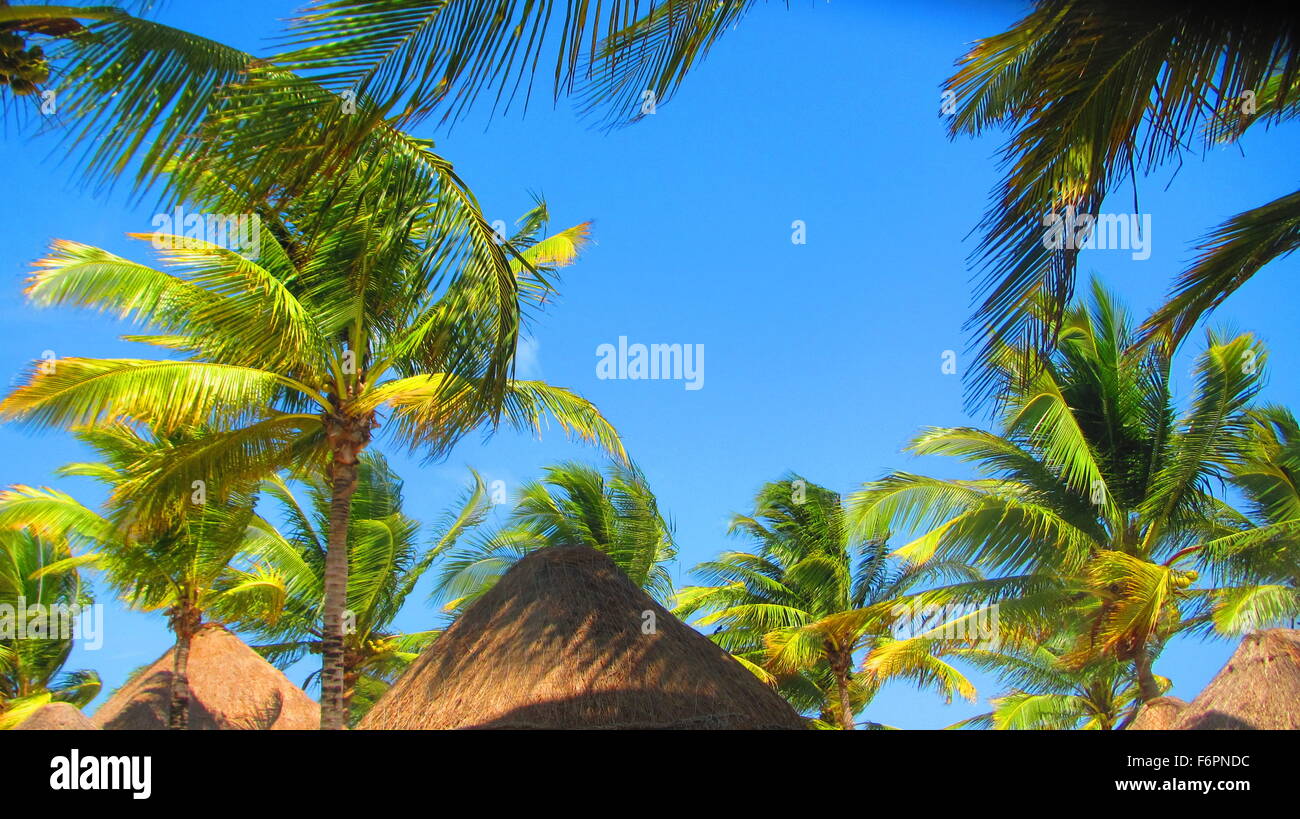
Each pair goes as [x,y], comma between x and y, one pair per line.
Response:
[413,57]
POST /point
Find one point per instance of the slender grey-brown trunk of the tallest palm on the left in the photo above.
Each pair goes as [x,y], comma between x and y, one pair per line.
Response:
[343,486]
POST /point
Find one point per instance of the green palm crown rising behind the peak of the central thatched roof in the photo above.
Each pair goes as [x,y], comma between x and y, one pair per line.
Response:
[574,505]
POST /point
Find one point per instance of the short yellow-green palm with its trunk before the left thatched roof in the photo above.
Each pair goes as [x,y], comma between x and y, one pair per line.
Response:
[189,569]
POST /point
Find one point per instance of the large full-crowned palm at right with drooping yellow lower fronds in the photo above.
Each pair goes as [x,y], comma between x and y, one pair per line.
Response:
[1095,495]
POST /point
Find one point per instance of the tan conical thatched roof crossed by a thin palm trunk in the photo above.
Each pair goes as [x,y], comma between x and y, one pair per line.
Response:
[231,687]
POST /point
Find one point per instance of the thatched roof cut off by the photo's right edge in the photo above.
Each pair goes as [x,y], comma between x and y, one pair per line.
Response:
[1258,688]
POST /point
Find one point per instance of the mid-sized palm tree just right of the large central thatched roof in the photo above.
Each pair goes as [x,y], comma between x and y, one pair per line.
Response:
[811,601]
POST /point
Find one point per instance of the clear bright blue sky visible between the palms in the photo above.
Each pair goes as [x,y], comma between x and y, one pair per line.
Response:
[821,358]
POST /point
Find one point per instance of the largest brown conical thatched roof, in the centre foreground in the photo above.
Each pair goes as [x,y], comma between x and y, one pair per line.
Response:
[558,643]
